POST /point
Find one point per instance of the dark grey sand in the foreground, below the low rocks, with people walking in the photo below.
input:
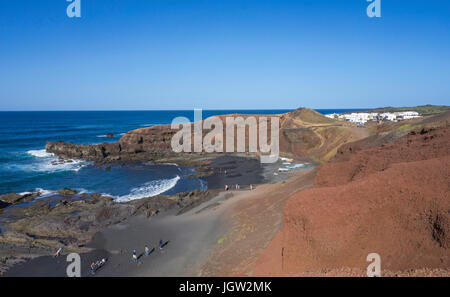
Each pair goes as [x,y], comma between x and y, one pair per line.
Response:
[187,237]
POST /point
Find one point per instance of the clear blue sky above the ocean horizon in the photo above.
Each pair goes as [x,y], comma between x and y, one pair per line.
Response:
[223,54]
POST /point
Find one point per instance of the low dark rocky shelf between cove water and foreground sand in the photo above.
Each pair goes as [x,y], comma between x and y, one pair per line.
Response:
[72,219]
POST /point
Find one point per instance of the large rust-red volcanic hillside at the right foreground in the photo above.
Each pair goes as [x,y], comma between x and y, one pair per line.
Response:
[390,198]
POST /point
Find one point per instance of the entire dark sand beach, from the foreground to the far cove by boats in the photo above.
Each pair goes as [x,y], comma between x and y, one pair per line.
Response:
[190,237]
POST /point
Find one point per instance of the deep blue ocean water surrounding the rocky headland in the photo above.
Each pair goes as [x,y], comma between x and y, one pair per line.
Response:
[26,167]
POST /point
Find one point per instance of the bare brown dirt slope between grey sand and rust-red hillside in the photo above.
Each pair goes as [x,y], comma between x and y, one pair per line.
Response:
[255,218]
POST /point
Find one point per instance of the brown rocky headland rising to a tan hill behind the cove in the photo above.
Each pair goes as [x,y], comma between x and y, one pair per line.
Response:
[303,133]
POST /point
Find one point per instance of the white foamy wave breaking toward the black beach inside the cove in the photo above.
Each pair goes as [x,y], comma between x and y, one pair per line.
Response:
[150,189]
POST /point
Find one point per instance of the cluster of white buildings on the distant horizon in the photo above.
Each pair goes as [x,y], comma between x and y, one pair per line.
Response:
[362,117]
